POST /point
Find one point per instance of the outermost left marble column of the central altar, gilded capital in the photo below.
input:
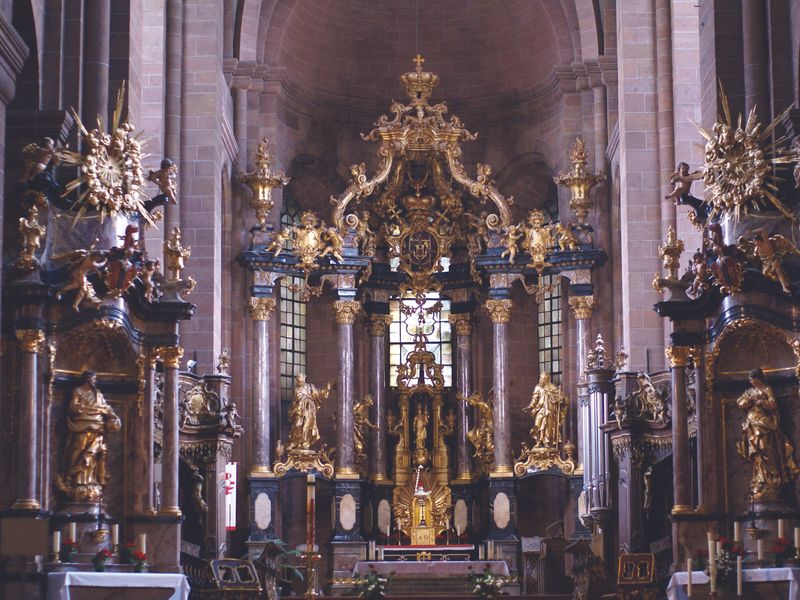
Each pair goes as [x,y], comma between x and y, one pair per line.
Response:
[260,310]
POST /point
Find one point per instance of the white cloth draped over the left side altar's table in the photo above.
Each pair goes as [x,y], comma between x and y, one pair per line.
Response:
[59,585]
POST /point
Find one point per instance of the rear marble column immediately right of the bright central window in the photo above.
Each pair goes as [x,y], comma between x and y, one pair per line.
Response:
[463,327]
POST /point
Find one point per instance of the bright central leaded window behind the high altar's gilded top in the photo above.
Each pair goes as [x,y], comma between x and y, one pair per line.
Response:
[435,324]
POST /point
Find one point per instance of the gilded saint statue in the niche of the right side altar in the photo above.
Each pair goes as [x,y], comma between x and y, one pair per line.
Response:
[763,442]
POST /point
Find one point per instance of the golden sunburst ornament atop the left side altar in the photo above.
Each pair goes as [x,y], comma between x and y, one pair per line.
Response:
[111,174]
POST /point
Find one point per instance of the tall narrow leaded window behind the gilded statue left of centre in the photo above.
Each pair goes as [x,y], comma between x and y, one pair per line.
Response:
[293,320]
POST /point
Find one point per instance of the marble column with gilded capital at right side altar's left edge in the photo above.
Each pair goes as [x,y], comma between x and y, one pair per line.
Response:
[678,357]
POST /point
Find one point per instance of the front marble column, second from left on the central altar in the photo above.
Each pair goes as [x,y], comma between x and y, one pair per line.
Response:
[346,312]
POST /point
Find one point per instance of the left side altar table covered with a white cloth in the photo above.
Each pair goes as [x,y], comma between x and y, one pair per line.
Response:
[83,585]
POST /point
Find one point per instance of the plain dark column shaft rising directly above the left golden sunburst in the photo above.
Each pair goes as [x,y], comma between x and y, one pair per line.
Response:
[97,38]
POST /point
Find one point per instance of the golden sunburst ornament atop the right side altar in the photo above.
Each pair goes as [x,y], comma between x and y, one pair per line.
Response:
[739,170]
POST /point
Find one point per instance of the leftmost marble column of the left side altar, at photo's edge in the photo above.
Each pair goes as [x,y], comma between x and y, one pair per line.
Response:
[30,345]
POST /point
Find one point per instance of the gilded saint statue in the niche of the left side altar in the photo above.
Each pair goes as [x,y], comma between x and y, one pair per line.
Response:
[89,419]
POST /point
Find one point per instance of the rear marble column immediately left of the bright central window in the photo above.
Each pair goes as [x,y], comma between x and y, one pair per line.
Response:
[377,388]
